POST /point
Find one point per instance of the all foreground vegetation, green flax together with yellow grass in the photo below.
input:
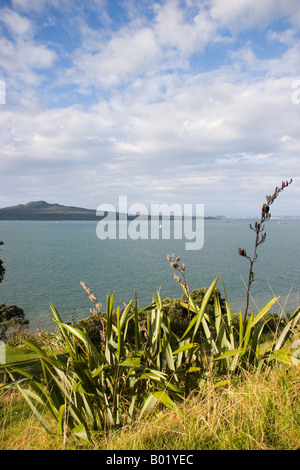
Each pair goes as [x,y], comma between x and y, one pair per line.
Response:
[189,362]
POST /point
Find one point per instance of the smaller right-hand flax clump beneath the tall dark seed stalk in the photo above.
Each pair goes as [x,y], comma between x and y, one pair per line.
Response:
[227,349]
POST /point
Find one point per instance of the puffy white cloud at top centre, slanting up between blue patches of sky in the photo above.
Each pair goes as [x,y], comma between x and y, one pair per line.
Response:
[140,47]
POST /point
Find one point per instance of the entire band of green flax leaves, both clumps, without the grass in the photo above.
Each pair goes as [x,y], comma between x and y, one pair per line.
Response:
[93,388]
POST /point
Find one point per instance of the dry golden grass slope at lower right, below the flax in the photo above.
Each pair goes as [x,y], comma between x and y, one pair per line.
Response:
[260,413]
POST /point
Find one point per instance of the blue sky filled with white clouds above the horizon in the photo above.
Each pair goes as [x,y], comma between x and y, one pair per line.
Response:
[168,102]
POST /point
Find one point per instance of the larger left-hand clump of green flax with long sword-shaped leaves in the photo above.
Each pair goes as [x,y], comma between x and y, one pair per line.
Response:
[96,387]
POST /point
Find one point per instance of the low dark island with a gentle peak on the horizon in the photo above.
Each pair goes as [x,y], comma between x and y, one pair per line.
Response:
[41,210]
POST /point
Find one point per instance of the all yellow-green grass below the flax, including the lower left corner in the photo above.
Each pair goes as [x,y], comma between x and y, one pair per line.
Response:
[257,412]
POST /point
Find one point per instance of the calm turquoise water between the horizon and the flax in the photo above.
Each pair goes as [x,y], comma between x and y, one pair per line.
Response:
[45,262]
